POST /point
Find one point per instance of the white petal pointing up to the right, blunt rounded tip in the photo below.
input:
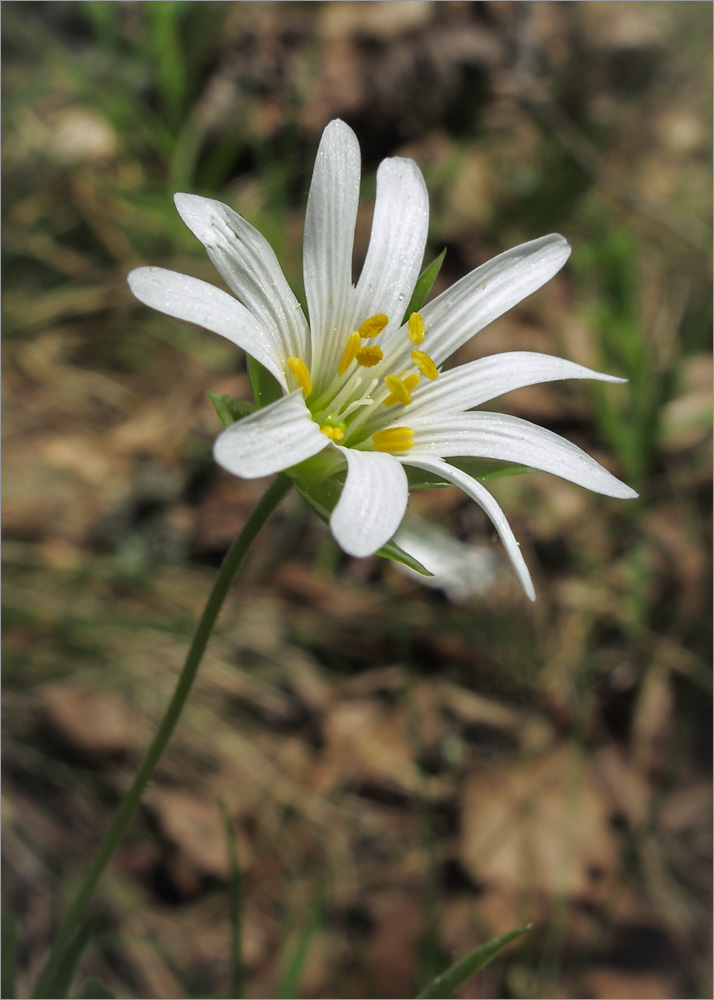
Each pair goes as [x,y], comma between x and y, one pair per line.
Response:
[488,292]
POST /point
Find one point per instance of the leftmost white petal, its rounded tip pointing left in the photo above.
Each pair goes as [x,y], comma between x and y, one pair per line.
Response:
[197,301]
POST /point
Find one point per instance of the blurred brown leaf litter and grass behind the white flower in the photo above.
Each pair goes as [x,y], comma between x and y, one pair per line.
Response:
[408,770]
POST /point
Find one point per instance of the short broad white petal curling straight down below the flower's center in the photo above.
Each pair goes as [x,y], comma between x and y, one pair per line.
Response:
[372,503]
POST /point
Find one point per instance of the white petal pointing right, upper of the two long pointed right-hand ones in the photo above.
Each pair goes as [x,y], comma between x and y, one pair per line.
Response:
[480,381]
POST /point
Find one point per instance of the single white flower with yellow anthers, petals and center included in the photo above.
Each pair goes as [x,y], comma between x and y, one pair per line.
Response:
[358,384]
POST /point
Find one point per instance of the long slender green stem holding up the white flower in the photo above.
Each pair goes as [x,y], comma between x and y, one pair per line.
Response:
[266,505]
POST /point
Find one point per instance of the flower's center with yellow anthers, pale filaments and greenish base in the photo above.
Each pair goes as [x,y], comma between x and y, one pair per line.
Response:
[349,409]
